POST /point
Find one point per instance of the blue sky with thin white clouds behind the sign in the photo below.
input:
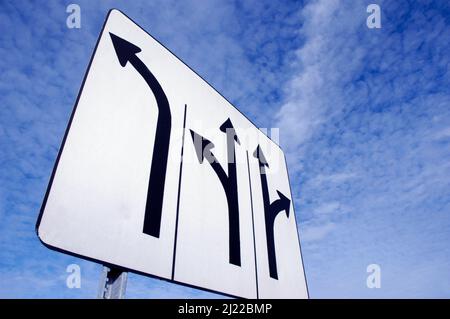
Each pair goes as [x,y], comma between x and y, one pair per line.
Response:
[364,118]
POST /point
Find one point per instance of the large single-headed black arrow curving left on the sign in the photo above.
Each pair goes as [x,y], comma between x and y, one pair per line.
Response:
[126,52]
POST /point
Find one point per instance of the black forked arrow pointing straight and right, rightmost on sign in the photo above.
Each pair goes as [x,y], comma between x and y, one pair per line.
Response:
[271,211]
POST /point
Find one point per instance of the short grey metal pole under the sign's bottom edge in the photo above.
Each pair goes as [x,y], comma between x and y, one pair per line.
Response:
[113,283]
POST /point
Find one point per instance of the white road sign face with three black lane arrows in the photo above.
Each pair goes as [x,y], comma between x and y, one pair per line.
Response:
[161,175]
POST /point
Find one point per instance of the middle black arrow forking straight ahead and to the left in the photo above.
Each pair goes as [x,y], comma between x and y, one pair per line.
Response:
[203,149]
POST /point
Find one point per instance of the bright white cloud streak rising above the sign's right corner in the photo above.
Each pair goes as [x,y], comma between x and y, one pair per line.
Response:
[316,92]
